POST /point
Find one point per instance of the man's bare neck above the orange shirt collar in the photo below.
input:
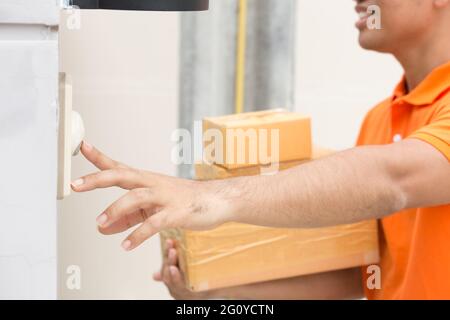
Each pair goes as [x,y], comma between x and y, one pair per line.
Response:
[421,59]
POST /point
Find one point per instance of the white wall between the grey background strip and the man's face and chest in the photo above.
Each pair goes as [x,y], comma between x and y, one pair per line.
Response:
[337,81]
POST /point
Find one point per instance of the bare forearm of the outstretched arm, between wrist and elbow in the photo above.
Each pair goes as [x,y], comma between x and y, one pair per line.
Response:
[350,186]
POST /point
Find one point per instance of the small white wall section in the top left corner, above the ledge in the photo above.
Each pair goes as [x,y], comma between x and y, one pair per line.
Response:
[45,12]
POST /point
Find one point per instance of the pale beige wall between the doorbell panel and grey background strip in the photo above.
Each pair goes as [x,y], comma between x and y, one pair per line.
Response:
[125,71]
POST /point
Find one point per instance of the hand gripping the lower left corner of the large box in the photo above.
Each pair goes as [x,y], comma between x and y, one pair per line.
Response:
[173,278]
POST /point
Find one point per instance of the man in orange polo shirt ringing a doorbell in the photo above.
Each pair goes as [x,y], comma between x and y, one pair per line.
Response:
[399,173]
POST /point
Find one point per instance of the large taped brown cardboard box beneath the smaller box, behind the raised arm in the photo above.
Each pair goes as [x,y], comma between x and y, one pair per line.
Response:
[236,254]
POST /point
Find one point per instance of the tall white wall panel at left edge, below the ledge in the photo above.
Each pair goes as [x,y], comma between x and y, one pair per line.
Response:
[28,107]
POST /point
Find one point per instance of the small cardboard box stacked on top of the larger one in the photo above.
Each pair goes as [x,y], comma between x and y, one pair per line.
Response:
[257,138]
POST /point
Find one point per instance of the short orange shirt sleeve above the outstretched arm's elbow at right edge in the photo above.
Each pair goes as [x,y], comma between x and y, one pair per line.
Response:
[437,133]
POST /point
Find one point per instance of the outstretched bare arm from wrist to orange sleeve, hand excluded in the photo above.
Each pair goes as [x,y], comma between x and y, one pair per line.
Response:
[358,184]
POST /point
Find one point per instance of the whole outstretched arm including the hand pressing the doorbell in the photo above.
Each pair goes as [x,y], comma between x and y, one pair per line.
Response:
[354,185]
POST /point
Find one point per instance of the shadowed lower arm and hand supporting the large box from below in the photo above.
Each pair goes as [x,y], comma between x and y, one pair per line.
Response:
[342,284]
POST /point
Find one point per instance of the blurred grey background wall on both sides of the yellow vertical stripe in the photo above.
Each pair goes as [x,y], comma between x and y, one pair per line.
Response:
[208,60]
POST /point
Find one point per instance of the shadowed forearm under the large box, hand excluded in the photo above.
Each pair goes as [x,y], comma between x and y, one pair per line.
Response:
[342,284]
